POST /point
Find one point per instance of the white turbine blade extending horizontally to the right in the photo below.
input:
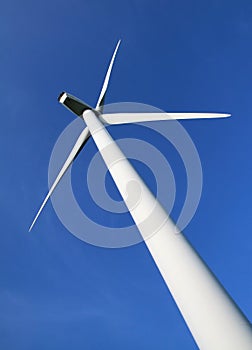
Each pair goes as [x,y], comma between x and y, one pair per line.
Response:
[124,118]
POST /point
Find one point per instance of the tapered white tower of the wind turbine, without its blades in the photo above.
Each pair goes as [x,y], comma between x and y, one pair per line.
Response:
[214,320]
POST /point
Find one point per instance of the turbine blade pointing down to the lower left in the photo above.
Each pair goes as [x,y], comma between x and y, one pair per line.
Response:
[74,152]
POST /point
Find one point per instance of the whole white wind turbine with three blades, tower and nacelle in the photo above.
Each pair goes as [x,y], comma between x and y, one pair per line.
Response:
[213,318]
